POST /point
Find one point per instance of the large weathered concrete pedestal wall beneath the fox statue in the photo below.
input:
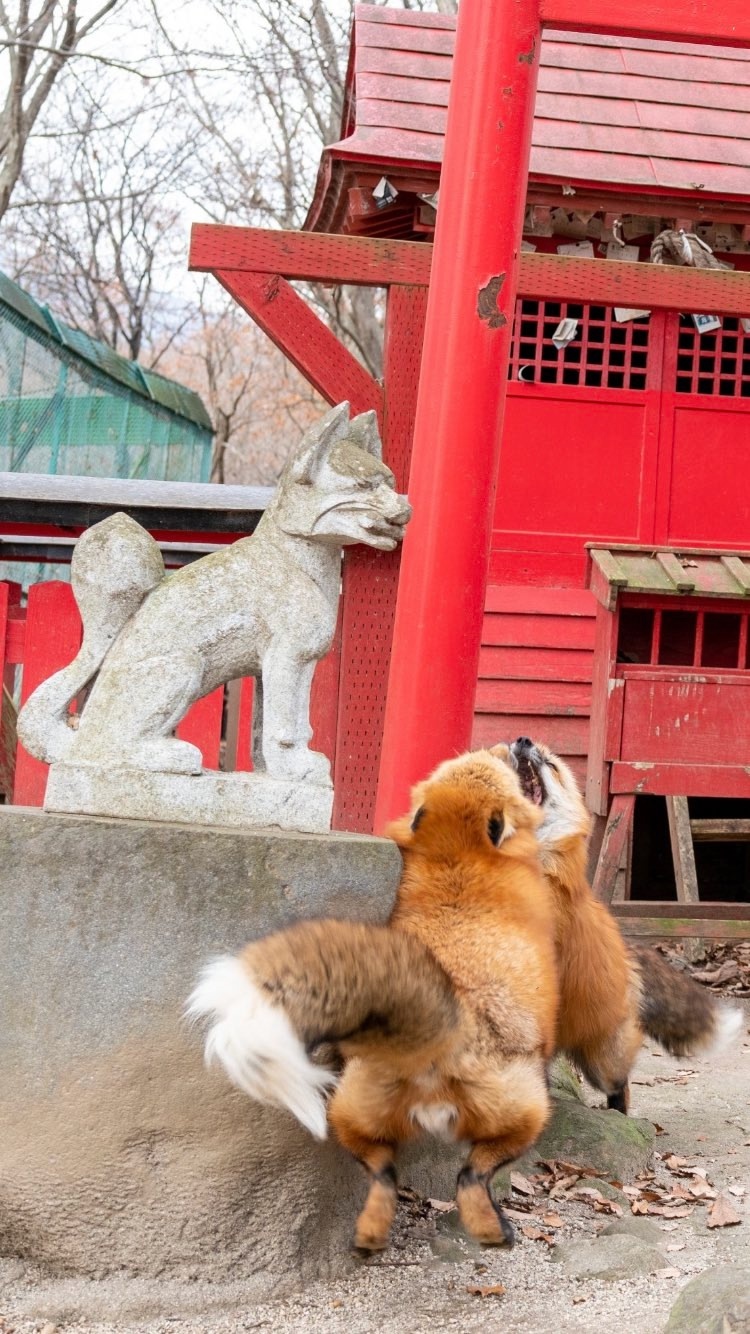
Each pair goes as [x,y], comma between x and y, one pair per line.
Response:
[118,1151]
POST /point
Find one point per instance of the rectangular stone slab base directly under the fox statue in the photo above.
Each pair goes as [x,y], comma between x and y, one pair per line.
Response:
[234,801]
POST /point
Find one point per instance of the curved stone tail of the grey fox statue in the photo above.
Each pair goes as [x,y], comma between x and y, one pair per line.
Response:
[115,565]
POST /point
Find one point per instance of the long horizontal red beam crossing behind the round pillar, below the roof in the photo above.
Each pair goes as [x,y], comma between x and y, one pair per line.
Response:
[364,261]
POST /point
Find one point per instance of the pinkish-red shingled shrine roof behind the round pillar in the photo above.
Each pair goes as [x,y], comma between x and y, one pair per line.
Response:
[655,118]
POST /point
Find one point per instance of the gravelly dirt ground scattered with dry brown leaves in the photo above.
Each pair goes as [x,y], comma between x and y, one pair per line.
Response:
[433,1280]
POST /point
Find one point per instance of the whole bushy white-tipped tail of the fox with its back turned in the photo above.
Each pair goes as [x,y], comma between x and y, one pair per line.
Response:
[361,988]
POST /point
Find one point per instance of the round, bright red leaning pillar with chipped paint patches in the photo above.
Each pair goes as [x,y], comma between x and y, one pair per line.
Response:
[462,393]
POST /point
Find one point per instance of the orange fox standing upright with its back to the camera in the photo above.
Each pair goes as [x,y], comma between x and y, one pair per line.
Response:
[445,1017]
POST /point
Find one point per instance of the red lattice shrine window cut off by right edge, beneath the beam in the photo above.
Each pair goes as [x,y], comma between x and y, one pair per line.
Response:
[713,364]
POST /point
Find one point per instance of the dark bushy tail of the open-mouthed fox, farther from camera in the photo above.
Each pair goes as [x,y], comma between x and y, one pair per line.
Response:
[679,1013]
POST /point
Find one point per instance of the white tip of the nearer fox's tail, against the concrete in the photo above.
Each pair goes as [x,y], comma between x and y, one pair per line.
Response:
[258,1047]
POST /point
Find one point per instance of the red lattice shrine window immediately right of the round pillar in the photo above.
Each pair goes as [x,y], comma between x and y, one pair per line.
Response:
[601,356]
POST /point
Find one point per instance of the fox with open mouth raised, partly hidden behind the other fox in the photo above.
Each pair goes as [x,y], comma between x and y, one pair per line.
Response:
[612,996]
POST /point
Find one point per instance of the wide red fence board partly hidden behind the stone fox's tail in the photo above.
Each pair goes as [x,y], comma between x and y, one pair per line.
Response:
[53,641]
